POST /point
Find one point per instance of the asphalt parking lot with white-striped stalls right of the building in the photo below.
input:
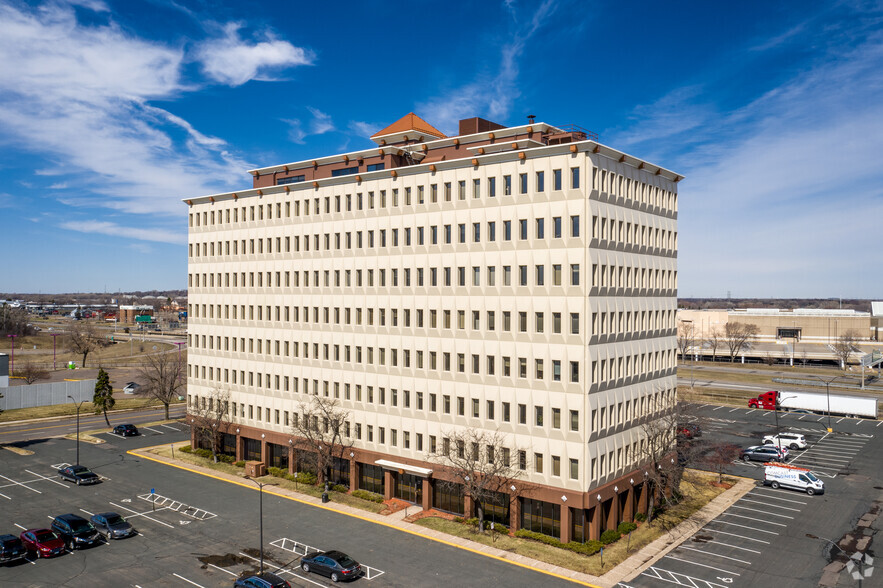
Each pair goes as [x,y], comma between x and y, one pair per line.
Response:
[761,540]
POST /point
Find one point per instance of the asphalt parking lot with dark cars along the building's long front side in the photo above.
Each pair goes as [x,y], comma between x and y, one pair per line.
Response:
[194,530]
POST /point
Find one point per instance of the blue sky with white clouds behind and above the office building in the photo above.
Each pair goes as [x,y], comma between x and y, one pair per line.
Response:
[112,112]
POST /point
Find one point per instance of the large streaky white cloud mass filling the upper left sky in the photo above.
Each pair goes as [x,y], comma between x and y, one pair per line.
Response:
[80,94]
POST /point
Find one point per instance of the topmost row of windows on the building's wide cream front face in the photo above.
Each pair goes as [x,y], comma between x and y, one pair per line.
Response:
[409,196]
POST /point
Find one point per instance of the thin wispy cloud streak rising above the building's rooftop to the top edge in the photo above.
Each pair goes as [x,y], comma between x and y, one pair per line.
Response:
[490,95]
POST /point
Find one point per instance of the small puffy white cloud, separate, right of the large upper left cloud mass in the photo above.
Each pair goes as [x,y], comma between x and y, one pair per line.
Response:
[232,61]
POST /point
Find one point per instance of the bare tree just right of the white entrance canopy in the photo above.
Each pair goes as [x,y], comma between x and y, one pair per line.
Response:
[480,462]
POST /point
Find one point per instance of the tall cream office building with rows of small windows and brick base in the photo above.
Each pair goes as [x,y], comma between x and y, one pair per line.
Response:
[515,279]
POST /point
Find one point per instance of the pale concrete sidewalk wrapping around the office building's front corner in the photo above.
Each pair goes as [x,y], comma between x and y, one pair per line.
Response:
[625,571]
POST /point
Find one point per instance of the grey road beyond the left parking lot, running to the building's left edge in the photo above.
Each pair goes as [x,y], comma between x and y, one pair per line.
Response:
[32,430]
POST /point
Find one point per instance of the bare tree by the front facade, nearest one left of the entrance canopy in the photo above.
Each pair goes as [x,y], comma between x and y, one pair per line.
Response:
[322,431]
